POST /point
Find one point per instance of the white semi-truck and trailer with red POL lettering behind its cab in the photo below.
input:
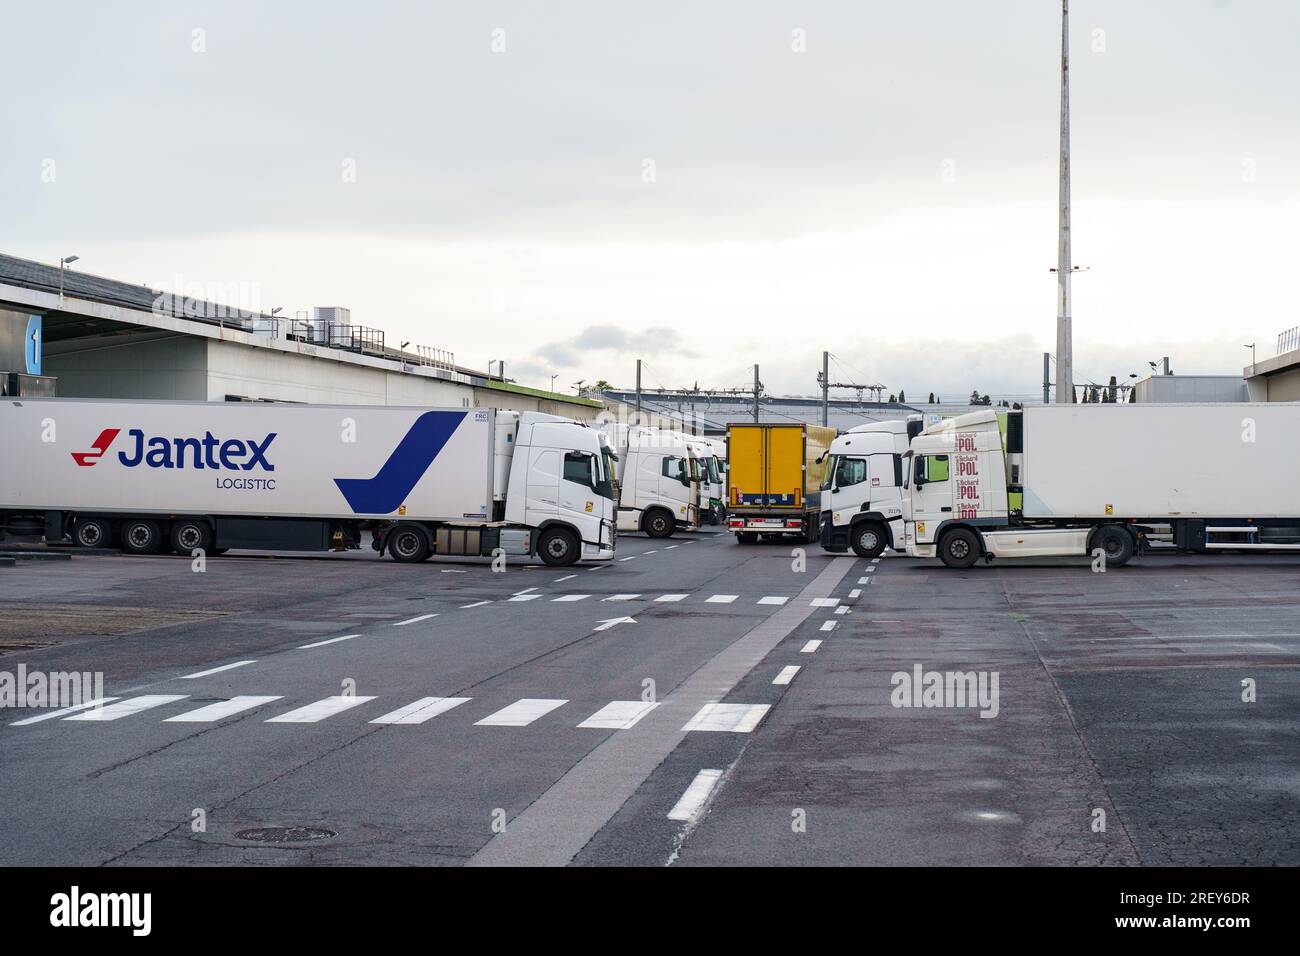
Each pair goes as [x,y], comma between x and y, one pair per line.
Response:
[1081,479]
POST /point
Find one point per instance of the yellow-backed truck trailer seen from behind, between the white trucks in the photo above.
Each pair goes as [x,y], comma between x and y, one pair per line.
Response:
[774,479]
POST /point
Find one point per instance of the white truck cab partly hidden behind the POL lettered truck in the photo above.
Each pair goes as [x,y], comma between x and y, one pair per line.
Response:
[863,494]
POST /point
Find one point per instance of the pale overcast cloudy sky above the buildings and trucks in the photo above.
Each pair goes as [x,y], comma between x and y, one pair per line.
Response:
[571,187]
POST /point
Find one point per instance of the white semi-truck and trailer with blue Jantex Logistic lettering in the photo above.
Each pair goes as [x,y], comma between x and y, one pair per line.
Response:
[222,475]
